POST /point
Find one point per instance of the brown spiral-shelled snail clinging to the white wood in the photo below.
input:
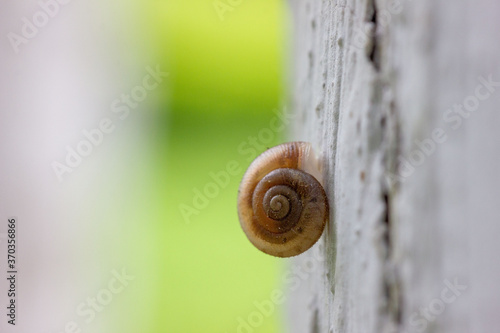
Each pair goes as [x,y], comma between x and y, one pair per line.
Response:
[282,207]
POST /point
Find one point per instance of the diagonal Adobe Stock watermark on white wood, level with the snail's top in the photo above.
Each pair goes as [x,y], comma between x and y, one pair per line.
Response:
[453,117]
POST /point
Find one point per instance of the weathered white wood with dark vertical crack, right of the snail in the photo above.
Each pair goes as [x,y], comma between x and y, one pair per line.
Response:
[412,179]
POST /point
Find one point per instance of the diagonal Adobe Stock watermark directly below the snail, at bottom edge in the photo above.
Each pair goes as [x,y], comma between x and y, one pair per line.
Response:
[292,280]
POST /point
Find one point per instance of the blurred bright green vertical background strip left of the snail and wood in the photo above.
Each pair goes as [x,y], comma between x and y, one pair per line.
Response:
[226,65]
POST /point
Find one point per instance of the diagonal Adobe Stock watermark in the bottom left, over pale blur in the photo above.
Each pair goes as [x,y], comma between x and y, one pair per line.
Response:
[87,310]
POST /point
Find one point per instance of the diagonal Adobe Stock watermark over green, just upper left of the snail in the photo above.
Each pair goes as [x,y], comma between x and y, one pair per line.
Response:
[251,147]
